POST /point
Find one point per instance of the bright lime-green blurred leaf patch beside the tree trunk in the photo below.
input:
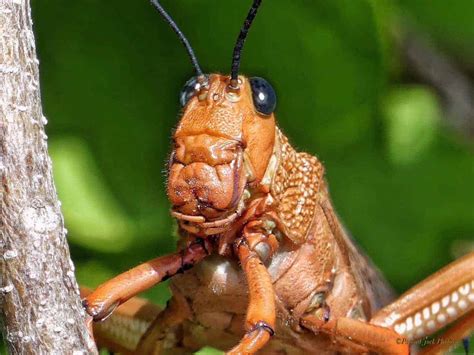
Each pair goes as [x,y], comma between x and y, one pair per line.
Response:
[93,216]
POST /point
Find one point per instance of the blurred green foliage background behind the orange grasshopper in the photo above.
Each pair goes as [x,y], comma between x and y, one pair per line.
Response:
[111,73]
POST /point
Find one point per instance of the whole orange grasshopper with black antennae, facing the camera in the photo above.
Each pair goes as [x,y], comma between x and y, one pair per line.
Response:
[263,262]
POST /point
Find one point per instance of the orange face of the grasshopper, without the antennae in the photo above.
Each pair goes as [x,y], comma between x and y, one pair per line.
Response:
[223,144]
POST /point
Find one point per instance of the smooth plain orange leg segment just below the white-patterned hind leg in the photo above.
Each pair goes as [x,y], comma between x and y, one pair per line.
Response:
[357,335]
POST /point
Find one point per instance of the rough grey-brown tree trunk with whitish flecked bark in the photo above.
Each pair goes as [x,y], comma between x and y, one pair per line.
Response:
[40,304]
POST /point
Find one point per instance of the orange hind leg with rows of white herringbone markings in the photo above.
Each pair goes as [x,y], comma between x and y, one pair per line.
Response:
[435,302]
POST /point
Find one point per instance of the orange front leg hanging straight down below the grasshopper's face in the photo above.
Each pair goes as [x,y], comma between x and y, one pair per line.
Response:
[260,320]
